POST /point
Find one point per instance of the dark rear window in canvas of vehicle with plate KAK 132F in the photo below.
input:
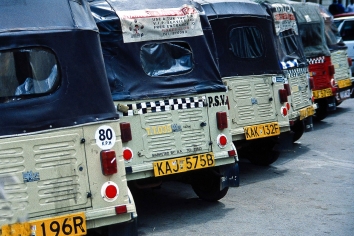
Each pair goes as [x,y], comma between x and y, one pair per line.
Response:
[246,42]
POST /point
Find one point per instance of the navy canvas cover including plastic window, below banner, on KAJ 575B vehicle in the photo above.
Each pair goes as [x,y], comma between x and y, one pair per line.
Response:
[171,66]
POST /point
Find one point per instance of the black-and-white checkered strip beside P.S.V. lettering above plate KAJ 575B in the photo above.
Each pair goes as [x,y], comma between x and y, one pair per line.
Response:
[165,105]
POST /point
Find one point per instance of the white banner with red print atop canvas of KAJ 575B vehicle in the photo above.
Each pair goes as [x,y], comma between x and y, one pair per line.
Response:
[158,24]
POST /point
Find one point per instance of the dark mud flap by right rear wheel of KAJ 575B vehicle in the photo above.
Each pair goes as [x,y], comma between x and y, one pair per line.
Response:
[230,175]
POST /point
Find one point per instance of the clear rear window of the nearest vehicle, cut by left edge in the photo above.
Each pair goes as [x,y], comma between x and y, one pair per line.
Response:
[26,73]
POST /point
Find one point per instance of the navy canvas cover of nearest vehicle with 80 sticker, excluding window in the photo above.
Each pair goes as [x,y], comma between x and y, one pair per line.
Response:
[67,29]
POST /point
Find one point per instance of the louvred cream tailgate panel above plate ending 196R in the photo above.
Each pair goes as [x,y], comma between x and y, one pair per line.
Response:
[45,173]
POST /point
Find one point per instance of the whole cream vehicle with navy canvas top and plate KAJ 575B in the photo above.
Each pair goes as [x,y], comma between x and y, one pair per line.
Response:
[165,84]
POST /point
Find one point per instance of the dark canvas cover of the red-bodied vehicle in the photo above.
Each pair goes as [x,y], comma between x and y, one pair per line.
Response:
[311,27]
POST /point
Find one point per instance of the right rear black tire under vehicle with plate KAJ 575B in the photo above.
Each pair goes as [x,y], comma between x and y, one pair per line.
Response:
[207,187]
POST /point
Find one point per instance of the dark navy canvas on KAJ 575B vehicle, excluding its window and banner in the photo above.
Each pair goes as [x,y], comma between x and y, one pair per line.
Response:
[123,60]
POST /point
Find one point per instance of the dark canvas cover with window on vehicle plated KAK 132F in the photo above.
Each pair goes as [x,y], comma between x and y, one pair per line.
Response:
[237,28]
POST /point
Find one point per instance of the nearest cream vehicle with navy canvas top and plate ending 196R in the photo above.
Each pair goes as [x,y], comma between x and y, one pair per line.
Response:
[62,170]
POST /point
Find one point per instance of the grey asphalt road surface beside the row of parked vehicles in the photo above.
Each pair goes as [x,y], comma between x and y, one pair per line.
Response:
[309,190]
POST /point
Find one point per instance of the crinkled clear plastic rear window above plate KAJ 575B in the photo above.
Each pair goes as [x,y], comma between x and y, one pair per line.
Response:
[165,59]
